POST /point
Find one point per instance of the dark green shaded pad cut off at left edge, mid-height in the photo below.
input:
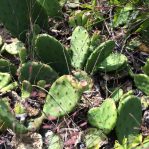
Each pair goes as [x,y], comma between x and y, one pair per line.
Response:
[7,66]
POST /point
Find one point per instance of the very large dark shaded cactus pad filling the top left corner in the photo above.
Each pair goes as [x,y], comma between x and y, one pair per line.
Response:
[15,16]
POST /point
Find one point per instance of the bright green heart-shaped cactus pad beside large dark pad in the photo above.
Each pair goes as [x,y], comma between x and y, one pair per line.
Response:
[103,117]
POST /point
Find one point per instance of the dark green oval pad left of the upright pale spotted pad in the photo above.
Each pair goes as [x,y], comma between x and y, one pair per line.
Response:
[52,52]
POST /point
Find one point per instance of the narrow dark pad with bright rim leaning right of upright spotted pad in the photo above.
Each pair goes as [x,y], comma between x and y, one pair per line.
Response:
[98,55]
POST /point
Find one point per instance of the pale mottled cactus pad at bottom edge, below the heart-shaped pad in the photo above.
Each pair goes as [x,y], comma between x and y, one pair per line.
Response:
[93,138]
